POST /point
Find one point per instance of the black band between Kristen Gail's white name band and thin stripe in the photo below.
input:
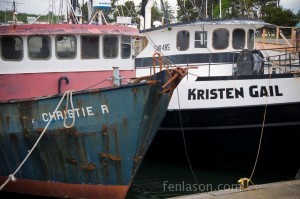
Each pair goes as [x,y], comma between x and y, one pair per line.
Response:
[233,118]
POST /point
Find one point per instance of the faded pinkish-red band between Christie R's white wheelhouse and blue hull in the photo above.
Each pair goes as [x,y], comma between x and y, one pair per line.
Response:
[21,86]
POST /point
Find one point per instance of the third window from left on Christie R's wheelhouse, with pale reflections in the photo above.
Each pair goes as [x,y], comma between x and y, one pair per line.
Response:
[65,46]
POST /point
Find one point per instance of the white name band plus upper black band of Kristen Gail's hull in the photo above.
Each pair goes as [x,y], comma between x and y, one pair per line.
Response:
[235,103]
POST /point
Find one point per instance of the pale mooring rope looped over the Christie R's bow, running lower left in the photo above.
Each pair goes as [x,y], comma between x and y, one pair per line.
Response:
[67,94]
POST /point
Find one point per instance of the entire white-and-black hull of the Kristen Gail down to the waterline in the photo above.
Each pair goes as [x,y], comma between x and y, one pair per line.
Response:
[225,131]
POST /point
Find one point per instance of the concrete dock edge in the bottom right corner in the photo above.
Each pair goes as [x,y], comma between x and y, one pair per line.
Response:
[277,190]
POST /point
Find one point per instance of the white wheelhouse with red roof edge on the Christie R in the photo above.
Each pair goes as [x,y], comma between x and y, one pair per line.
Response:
[81,49]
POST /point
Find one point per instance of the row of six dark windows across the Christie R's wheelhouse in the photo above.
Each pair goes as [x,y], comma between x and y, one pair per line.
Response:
[39,47]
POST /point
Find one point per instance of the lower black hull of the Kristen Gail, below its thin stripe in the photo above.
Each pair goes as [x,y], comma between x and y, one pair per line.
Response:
[233,150]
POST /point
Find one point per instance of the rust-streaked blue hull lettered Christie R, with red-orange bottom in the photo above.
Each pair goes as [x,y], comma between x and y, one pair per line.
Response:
[99,154]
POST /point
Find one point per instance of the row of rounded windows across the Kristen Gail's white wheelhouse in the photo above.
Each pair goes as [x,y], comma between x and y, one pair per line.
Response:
[220,39]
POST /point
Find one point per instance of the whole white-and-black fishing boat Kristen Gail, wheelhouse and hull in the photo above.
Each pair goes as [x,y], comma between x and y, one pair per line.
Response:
[231,88]
